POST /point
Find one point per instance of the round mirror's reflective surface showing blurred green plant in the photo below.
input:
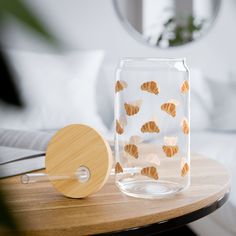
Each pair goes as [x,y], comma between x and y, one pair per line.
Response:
[167,23]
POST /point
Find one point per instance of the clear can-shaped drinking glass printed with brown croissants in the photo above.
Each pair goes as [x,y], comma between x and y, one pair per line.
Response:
[152,129]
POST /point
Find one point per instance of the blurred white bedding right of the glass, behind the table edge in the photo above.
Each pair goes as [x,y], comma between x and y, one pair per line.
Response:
[221,147]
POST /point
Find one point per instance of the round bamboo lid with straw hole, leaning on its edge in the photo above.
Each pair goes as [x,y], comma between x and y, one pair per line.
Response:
[78,148]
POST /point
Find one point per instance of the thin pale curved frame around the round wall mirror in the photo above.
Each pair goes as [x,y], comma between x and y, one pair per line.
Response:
[138,37]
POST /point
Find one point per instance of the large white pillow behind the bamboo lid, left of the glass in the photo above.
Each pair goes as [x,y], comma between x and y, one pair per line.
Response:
[57,90]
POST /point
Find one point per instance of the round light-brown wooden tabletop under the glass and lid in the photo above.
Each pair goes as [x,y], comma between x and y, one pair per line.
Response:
[43,211]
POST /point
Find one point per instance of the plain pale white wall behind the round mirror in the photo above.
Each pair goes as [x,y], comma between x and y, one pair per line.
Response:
[91,24]
